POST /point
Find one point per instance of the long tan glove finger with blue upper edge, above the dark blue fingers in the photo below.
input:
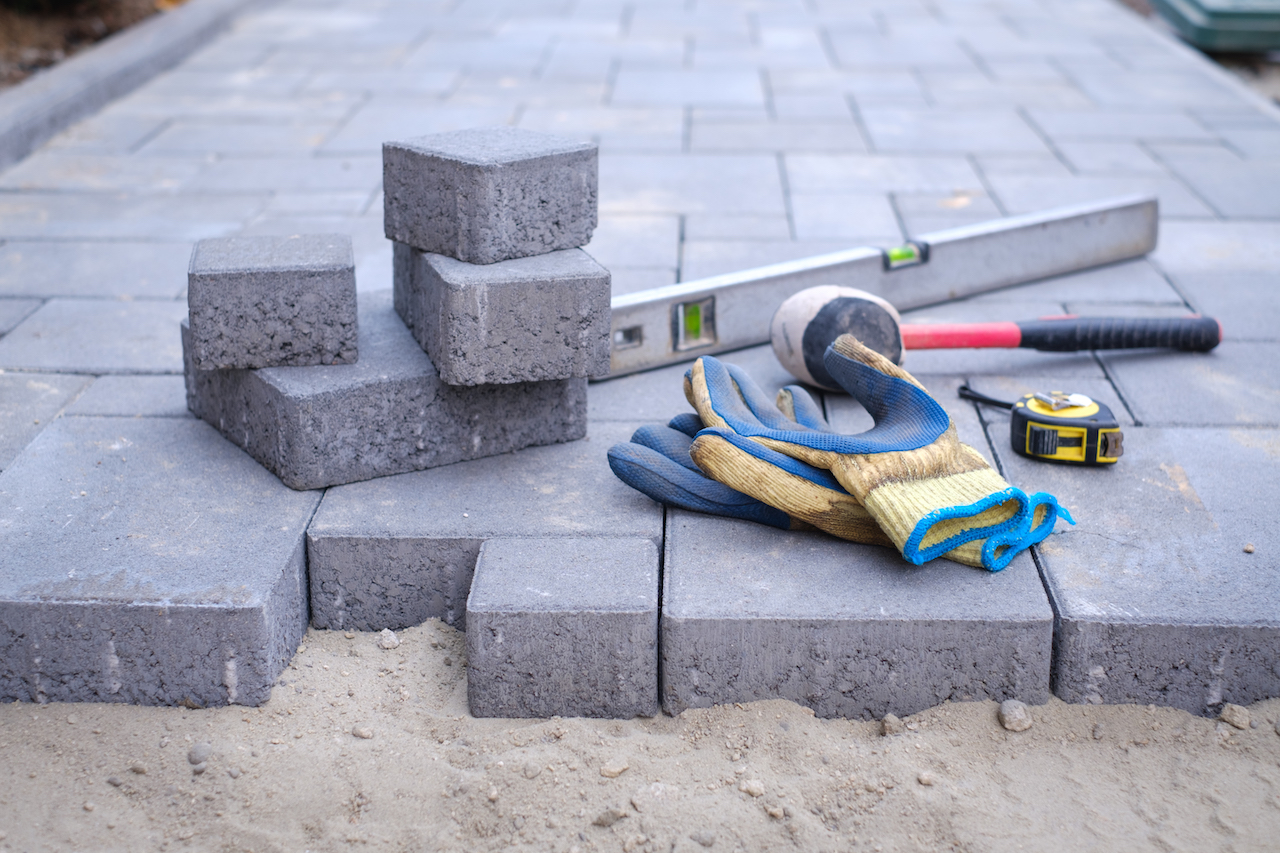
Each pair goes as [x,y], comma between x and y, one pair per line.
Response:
[802,491]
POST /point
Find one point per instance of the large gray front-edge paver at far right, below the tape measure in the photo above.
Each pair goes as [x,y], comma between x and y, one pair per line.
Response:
[1155,600]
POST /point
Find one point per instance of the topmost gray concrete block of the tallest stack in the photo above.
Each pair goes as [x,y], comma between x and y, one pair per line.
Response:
[490,195]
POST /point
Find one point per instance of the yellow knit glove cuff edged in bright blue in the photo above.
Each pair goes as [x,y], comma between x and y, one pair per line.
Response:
[926,519]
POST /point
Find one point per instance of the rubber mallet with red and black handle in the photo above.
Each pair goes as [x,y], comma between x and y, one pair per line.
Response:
[807,325]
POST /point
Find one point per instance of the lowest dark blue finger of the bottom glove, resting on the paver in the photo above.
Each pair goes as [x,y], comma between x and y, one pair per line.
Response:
[664,481]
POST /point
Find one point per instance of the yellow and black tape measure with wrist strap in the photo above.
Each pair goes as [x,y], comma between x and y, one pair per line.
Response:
[1060,427]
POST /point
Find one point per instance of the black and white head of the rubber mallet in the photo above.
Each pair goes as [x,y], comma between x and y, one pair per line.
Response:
[811,321]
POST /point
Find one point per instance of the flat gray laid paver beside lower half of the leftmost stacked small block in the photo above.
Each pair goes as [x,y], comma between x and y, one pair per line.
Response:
[97,336]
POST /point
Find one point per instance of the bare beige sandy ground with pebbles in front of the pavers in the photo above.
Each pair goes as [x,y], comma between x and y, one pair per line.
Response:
[298,774]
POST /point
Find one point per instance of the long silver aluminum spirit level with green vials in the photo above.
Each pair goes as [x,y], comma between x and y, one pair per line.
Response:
[682,322]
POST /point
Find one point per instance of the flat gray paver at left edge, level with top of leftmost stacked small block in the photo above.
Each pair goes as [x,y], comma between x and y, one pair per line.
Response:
[111,270]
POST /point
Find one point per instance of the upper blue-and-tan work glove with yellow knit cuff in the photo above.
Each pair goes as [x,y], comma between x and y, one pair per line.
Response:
[931,495]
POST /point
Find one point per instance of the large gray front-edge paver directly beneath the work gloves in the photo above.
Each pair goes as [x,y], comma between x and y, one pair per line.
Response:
[845,630]
